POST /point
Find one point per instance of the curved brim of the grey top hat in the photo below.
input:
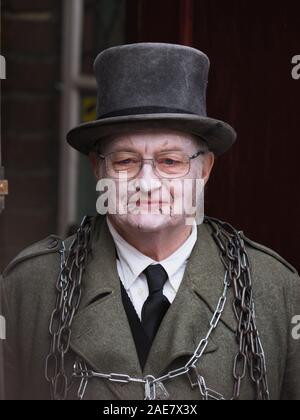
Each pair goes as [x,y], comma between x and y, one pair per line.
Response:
[219,135]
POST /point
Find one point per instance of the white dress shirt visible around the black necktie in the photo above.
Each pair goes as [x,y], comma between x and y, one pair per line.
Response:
[132,263]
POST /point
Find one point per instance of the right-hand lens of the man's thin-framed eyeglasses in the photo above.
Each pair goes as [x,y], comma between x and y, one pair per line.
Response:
[173,164]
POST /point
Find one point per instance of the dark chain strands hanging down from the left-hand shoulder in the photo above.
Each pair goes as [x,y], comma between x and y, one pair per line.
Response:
[69,289]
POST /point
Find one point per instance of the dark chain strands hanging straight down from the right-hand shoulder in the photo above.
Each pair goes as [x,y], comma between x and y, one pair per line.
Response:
[251,354]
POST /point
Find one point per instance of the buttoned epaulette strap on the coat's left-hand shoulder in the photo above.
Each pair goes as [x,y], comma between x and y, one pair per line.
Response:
[47,246]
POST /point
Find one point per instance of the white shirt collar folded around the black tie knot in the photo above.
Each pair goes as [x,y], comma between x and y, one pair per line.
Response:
[133,262]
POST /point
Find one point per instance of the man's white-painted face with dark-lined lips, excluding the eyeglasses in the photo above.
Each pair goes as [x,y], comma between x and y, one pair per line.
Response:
[148,144]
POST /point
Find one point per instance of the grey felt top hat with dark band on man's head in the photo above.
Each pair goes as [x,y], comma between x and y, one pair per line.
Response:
[152,85]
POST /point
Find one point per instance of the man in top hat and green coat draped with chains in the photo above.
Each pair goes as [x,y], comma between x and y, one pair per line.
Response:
[142,303]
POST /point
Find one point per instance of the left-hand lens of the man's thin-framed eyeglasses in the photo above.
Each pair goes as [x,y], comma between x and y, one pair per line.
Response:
[124,163]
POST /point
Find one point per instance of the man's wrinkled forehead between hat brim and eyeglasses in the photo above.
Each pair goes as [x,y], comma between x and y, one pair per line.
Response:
[150,141]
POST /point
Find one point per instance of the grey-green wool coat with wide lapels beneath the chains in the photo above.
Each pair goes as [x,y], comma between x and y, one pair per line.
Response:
[102,336]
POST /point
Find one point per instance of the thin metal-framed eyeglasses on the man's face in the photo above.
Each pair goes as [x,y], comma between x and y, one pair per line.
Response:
[169,164]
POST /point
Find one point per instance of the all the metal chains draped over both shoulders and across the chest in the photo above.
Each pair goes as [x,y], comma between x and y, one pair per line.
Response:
[237,275]
